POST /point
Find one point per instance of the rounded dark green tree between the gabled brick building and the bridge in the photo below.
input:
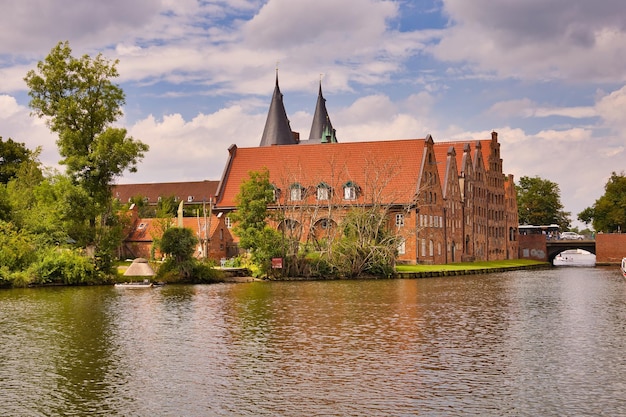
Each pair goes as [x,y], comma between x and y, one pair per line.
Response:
[539,203]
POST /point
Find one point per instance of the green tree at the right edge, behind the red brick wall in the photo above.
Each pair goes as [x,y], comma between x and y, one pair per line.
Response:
[608,213]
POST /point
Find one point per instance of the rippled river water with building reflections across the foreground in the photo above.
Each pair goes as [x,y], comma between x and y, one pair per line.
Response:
[521,343]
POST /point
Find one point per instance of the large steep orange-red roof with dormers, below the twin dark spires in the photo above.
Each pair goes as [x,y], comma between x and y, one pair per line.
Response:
[392,167]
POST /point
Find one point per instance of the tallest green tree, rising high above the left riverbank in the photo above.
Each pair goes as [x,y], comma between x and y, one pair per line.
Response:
[80,104]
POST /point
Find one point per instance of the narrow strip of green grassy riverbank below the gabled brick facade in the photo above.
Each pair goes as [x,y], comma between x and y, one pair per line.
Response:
[465,268]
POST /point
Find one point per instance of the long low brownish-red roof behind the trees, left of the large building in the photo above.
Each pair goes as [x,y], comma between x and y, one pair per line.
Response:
[199,190]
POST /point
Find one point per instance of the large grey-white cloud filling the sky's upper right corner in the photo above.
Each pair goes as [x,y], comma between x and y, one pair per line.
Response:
[534,39]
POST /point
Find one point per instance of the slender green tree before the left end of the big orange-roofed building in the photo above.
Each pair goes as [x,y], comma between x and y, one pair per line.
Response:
[252,220]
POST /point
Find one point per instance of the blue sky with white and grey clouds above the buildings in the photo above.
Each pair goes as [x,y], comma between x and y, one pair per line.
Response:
[548,75]
